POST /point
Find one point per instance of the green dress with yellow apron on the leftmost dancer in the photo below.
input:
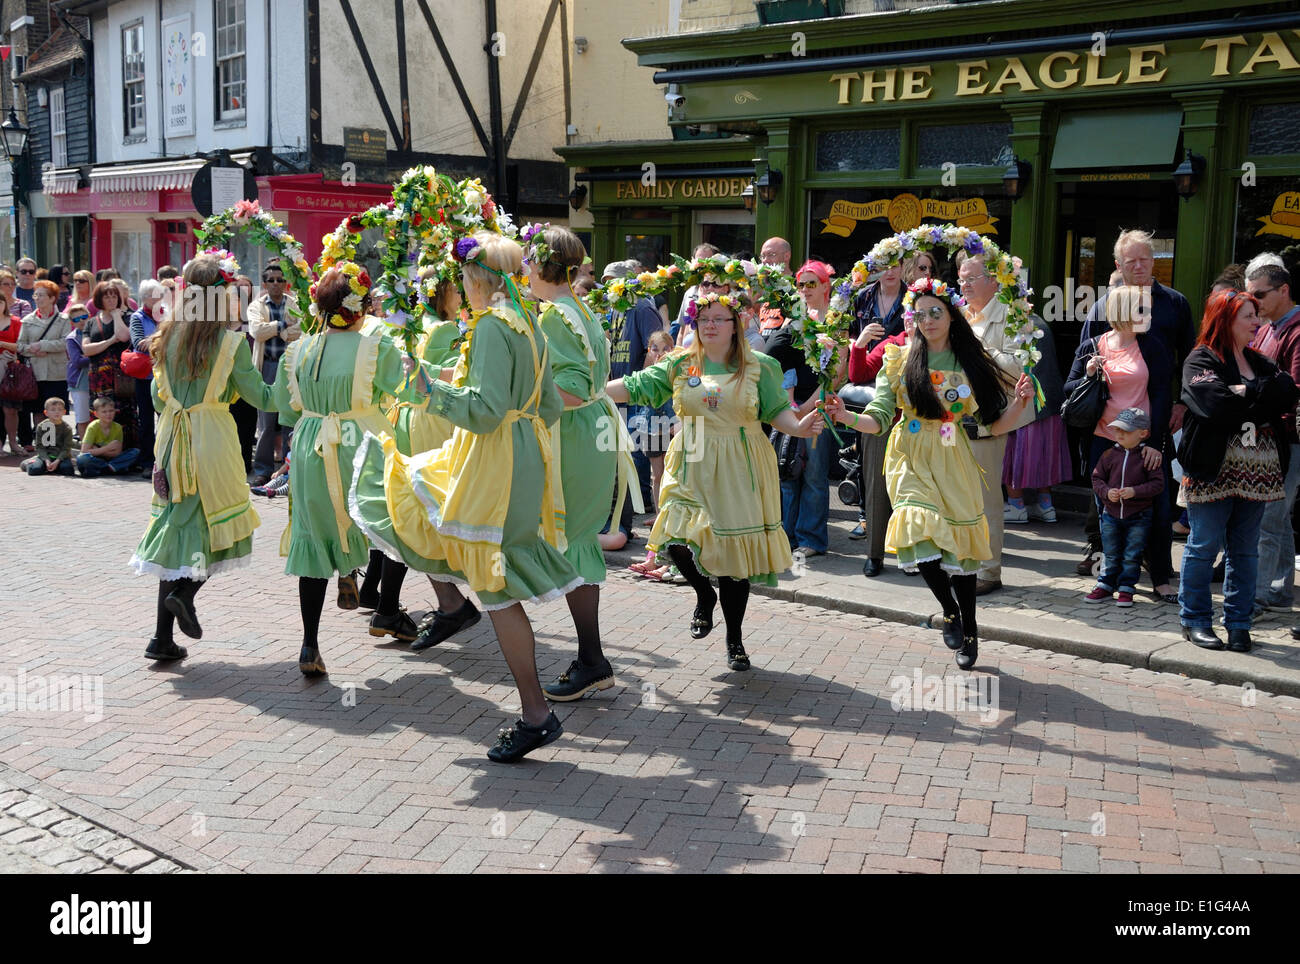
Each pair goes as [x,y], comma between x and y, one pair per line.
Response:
[203,467]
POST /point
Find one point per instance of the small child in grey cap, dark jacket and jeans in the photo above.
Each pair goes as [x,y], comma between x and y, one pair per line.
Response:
[1125,492]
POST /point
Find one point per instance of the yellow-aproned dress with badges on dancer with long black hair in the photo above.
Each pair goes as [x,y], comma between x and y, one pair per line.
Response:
[931,475]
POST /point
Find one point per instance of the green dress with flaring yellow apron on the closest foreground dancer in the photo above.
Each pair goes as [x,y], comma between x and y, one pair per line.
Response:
[486,510]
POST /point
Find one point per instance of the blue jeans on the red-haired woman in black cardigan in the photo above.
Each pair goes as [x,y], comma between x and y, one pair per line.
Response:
[1232,526]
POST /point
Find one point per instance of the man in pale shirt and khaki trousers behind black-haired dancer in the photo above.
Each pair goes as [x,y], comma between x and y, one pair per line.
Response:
[987,316]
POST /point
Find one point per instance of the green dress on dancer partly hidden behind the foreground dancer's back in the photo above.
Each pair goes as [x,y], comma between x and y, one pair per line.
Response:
[588,433]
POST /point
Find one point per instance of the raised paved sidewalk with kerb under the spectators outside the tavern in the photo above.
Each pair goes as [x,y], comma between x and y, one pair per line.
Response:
[1042,606]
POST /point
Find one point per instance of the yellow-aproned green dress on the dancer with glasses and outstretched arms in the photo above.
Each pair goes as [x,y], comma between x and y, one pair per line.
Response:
[721,493]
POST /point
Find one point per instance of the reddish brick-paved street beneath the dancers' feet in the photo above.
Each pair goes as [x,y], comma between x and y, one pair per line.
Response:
[822,759]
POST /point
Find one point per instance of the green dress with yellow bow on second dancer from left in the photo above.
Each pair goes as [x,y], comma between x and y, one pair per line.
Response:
[328,388]
